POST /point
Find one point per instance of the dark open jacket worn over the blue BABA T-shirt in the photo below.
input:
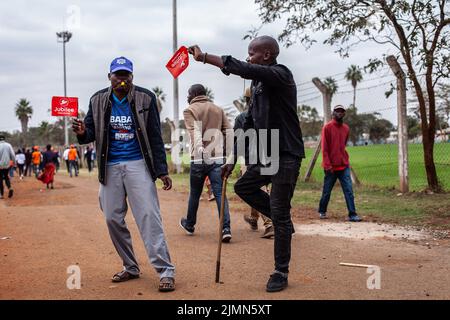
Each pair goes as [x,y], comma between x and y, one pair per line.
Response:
[148,129]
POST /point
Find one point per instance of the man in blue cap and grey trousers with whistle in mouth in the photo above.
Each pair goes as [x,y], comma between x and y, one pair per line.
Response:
[123,120]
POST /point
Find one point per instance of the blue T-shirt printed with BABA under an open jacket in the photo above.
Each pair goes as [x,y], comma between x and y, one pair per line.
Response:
[123,143]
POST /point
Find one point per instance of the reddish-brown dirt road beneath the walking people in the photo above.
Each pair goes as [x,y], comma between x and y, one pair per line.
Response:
[43,233]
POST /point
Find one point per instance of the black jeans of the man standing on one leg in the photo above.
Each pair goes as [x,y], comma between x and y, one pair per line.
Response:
[277,205]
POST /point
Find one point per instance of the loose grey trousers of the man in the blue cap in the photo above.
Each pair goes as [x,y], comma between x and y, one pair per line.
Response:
[132,180]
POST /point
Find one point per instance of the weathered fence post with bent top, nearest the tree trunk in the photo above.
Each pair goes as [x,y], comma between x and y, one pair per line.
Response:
[402,126]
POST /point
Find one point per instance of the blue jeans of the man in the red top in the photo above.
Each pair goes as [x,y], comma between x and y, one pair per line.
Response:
[346,184]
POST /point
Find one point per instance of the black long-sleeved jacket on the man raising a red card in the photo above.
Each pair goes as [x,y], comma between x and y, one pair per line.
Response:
[273,103]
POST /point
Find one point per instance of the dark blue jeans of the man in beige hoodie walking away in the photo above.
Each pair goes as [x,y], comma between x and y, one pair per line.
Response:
[198,173]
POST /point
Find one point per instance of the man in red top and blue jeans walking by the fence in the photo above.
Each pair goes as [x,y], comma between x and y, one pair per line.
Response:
[335,163]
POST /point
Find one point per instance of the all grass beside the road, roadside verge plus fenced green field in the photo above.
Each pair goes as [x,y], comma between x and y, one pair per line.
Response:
[377,199]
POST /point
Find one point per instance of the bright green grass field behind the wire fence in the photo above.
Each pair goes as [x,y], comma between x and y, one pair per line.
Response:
[377,165]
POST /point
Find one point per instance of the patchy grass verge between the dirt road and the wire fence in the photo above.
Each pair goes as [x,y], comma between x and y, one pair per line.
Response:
[374,204]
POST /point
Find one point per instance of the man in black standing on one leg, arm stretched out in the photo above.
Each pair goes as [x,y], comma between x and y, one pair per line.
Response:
[273,109]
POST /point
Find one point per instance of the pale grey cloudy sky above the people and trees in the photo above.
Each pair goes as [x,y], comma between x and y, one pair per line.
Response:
[141,30]
